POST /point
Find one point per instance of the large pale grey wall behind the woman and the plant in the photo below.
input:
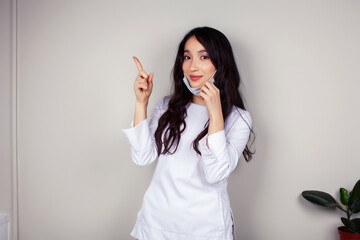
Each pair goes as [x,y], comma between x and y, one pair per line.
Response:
[299,64]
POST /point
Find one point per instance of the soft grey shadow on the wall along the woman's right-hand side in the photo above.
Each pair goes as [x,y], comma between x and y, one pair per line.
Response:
[245,181]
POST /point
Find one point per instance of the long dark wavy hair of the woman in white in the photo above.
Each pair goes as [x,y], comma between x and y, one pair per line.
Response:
[227,79]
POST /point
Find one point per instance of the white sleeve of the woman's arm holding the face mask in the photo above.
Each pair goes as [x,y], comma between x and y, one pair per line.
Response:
[225,149]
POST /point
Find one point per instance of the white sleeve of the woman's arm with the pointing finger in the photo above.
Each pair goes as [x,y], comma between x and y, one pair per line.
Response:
[141,138]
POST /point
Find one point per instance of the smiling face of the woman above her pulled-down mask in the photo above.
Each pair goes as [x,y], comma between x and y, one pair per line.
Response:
[197,65]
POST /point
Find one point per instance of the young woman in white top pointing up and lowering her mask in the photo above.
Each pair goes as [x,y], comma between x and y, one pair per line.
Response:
[198,134]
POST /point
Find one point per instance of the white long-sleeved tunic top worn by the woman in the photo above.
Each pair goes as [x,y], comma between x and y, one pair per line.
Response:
[187,198]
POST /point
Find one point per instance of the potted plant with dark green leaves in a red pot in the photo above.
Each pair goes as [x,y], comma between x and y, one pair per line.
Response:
[351,205]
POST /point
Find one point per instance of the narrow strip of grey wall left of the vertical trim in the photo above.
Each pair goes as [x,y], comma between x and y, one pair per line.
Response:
[6,113]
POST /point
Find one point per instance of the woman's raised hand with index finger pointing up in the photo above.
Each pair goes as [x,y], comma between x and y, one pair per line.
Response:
[143,84]
